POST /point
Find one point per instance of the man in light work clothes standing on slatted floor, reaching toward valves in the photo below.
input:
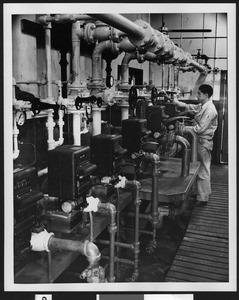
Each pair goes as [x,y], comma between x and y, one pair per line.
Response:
[205,124]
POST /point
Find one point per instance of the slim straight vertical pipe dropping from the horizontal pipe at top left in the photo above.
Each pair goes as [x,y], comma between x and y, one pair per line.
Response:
[48,59]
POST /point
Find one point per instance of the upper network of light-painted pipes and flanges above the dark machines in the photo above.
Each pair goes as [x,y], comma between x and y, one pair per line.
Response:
[118,34]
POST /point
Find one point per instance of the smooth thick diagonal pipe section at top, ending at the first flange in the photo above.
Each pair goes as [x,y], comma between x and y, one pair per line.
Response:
[121,23]
